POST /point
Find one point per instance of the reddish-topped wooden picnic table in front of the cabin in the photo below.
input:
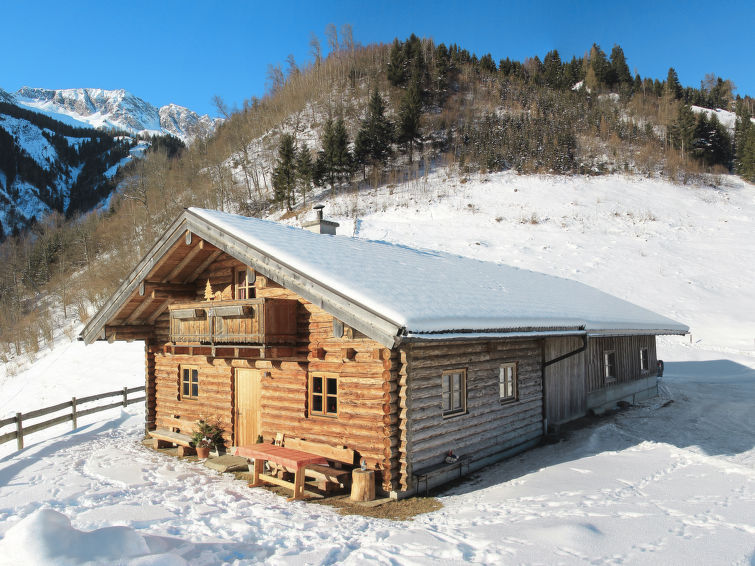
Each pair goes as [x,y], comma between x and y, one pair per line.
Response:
[297,460]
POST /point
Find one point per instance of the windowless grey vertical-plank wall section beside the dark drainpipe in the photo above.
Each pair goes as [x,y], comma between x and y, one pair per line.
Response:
[565,387]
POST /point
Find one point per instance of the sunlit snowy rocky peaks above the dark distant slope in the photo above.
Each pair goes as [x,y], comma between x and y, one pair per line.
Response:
[115,109]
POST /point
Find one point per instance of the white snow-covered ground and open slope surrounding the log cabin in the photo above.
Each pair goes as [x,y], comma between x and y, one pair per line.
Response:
[662,483]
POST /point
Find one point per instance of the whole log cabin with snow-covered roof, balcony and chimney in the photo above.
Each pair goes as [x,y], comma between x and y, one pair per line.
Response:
[402,355]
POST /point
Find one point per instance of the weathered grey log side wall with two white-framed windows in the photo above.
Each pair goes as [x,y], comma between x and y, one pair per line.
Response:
[488,426]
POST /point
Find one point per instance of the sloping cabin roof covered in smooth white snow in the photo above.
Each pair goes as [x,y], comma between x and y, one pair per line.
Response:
[434,294]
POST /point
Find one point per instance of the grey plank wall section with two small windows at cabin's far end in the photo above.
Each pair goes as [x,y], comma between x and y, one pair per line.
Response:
[627,350]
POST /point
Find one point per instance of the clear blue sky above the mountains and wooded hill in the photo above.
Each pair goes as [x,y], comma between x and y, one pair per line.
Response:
[187,51]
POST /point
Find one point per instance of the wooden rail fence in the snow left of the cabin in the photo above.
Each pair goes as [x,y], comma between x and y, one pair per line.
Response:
[74,415]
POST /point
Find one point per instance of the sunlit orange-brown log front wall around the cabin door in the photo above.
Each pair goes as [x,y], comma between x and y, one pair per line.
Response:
[367,381]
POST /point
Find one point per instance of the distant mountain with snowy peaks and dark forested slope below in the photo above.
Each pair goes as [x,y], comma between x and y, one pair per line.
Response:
[60,149]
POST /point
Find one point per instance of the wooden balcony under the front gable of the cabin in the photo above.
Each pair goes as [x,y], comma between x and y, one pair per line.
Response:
[240,322]
